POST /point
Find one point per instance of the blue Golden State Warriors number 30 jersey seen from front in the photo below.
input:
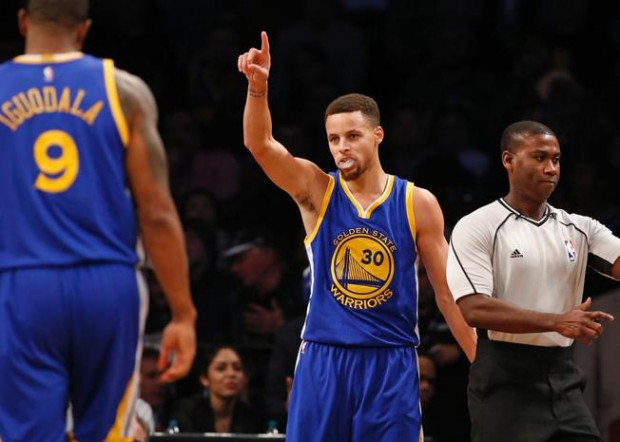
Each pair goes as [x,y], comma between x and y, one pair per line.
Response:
[364,269]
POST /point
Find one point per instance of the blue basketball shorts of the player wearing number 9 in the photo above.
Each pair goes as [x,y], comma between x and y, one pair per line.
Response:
[69,335]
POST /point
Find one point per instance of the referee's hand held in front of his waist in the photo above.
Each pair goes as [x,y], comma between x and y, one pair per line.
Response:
[581,324]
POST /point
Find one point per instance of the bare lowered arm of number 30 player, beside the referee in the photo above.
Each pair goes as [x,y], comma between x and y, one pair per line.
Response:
[433,249]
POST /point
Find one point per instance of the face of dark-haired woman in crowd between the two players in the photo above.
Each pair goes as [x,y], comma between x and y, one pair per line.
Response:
[225,376]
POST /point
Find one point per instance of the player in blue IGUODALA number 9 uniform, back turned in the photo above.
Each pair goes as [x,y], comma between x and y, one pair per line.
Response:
[82,172]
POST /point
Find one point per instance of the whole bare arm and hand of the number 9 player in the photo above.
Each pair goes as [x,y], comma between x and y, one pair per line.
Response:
[160,226]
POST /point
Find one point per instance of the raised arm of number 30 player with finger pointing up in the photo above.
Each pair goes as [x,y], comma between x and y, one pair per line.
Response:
[303,180]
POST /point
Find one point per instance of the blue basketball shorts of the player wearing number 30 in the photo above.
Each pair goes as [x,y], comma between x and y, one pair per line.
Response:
[354,394]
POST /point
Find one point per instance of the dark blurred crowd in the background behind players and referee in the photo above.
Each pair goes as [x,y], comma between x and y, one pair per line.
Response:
[448,76]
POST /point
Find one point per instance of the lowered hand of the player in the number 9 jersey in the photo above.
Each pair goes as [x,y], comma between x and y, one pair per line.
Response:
[178,349]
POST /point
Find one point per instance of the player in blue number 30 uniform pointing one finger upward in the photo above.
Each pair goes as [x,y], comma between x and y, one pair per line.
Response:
[356,374]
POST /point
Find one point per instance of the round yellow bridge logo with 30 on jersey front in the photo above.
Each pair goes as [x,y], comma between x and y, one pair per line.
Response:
[362,268]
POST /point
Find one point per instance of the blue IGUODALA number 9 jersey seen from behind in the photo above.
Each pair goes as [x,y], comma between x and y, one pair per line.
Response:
[64,195]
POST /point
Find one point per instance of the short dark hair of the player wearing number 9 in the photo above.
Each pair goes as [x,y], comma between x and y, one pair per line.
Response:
[67,13]
